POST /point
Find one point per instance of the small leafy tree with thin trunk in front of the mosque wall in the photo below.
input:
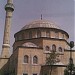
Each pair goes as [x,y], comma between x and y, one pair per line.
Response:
[52,58]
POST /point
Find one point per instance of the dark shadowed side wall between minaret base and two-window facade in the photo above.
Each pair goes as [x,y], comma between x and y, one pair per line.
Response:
[13,61]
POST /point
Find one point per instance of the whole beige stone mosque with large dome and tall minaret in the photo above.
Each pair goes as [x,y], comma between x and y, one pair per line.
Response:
[33,43]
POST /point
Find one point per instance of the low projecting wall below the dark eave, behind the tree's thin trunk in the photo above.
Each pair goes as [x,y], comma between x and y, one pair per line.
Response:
[55,70]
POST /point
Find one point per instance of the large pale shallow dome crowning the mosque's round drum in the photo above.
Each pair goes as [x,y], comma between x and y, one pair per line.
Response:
[41,24]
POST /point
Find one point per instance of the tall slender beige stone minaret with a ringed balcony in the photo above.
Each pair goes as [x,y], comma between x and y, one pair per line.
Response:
[9,8]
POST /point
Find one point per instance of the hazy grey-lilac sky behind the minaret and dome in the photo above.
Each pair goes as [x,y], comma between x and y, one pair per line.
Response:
[59,11]
